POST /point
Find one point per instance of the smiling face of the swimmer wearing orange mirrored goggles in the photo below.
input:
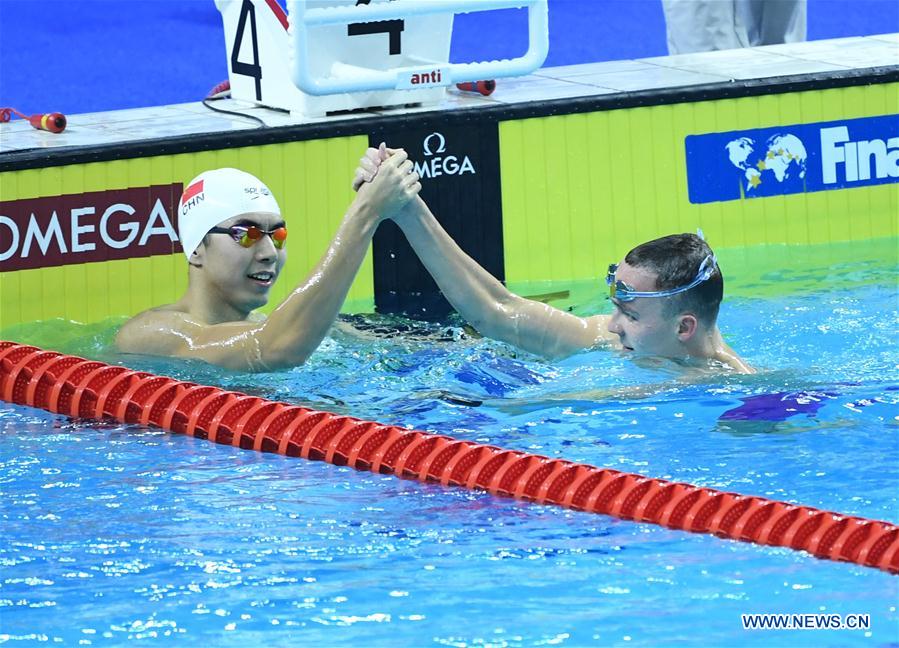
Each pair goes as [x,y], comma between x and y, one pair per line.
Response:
[241,276]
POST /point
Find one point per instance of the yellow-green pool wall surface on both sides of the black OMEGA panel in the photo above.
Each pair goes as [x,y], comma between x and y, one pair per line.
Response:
[578,190]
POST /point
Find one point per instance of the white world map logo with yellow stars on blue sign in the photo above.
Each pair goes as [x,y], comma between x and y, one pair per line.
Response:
[782,161]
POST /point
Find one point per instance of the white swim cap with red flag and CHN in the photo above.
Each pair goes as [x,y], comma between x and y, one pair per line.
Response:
[215,196]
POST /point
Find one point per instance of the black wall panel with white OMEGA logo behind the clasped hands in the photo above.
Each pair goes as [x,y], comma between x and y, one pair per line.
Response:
[460,182]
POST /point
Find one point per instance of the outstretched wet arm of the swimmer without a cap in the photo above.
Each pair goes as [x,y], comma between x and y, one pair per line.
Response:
[486,303]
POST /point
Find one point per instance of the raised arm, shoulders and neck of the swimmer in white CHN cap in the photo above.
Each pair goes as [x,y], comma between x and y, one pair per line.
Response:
[199,327]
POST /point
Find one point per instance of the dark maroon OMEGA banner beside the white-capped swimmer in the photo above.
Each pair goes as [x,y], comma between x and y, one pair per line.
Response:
[89,227]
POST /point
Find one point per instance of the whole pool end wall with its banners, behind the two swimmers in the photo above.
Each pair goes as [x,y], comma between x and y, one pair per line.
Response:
[538,192]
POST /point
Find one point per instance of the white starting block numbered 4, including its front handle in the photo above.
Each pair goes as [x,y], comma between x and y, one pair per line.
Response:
[340,55]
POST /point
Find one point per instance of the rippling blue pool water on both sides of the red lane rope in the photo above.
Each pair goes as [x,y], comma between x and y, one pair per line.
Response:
[115,534]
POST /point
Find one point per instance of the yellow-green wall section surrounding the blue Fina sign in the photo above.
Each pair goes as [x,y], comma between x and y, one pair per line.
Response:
[580,190]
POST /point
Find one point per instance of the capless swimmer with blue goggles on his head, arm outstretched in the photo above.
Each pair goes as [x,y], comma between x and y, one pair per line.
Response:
[666,294]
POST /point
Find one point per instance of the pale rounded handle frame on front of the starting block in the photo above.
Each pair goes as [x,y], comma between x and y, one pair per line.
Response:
[354,79]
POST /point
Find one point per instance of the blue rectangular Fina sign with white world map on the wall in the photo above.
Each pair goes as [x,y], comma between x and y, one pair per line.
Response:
[793,159]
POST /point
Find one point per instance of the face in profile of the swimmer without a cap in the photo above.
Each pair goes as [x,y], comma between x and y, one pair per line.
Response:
[642,325]
